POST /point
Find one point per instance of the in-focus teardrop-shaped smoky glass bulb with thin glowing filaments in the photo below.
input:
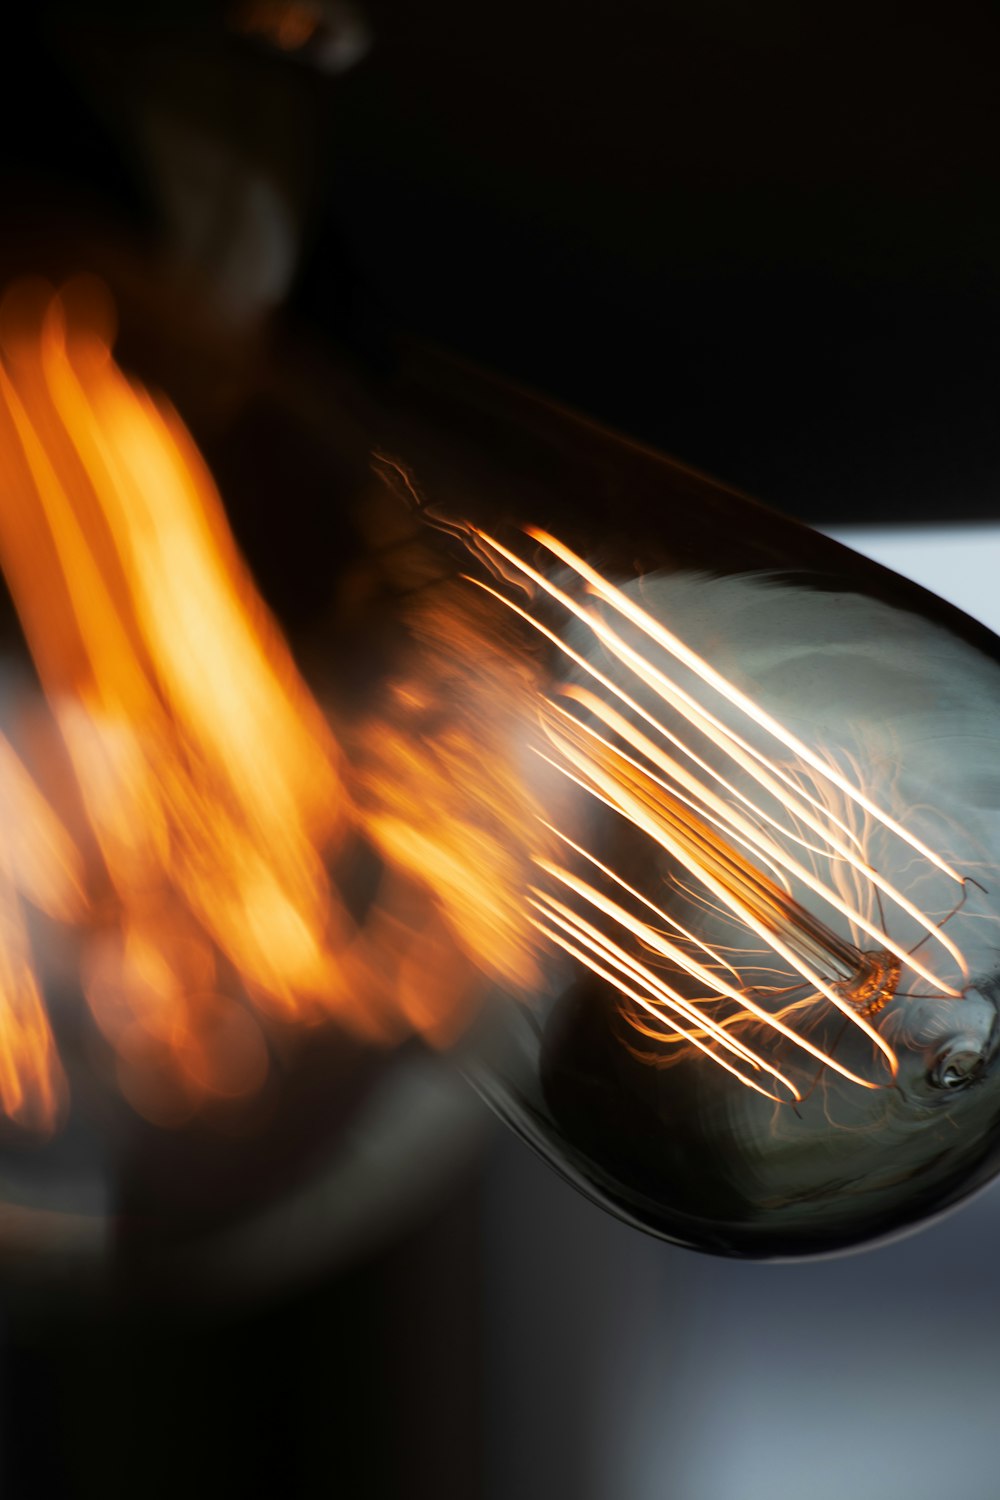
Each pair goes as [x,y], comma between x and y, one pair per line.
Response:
[768,890]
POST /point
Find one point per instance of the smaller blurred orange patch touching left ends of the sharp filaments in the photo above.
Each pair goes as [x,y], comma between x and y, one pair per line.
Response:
[446,784]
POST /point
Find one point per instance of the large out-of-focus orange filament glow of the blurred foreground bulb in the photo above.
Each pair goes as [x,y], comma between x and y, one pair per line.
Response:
[208,791]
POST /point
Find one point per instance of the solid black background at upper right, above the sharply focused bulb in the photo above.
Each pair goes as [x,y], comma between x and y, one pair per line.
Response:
[764,238]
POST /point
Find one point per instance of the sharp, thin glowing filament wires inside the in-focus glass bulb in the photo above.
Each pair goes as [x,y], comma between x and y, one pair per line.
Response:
[659,770]
